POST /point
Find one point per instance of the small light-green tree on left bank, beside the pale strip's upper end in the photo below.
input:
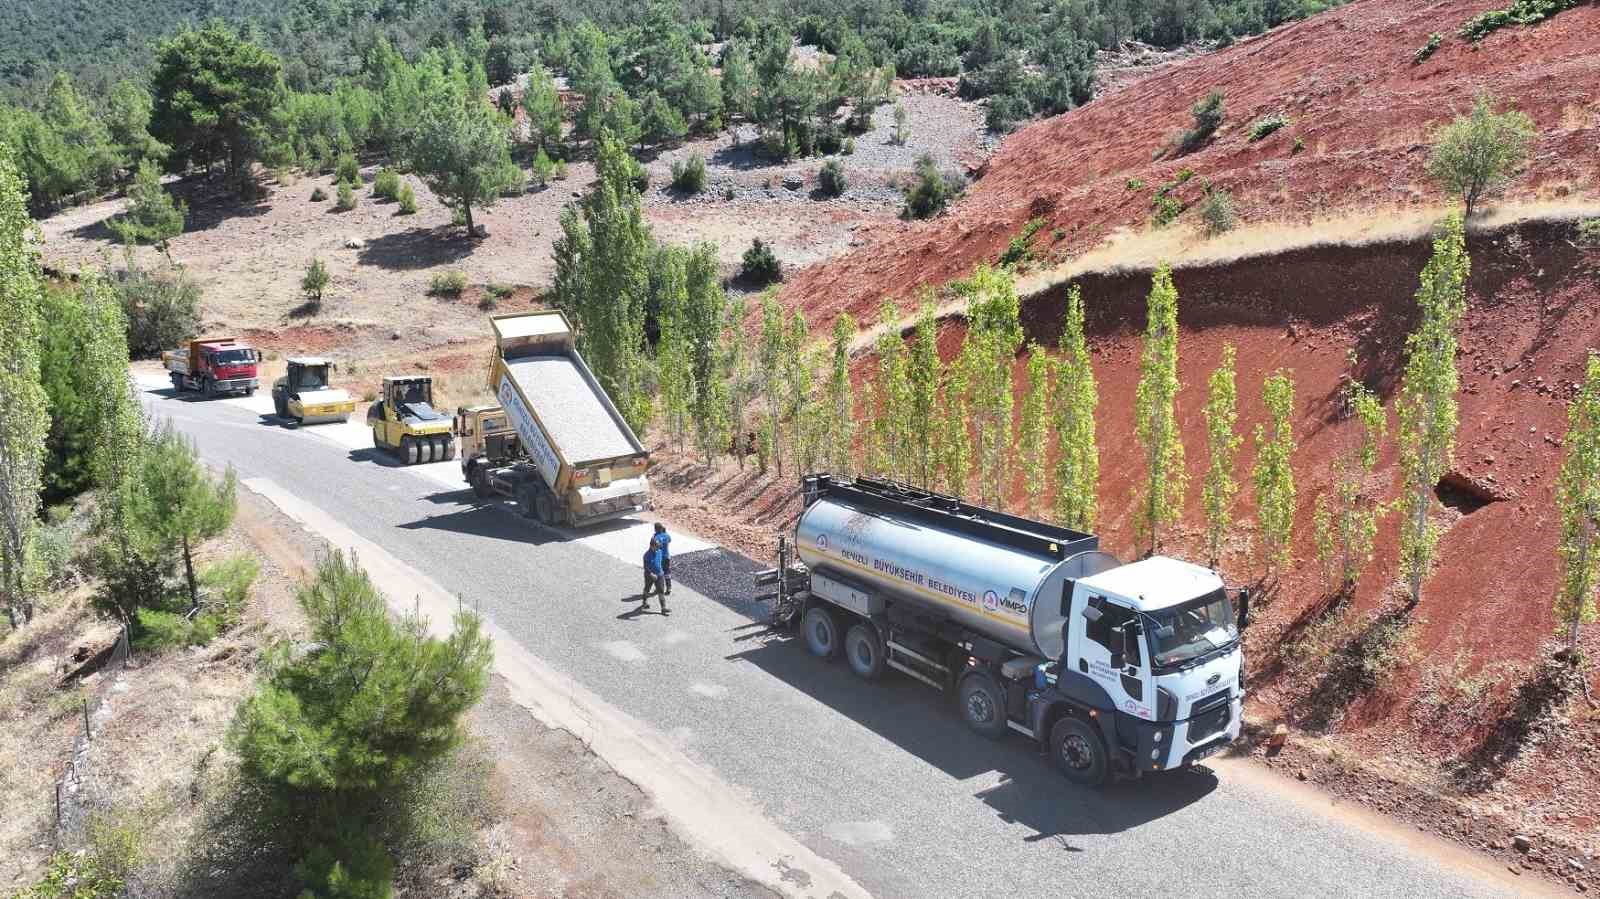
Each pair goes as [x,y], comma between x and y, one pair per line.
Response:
[178,506]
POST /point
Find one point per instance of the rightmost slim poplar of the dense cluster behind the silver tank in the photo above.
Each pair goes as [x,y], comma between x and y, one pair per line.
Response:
[1076,401]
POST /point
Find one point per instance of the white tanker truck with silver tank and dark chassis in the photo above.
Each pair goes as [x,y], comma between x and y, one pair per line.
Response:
[1110,668]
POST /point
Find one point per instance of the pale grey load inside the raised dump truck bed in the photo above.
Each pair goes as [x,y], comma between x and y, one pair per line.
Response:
[570,409]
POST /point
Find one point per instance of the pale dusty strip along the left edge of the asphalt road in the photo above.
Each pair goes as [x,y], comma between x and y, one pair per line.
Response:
[697,802]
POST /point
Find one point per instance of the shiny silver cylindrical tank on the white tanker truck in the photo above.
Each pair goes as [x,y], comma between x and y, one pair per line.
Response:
[1002,593]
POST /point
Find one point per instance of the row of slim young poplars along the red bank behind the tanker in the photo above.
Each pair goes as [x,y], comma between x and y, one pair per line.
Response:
[954,426]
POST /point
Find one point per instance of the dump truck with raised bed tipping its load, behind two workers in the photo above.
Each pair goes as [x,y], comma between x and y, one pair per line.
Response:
[556,442]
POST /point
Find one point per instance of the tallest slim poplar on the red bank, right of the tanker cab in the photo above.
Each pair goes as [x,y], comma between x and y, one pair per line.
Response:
[1428,401]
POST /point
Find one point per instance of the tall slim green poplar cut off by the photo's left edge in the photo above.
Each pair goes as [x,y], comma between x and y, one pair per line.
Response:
[25,420]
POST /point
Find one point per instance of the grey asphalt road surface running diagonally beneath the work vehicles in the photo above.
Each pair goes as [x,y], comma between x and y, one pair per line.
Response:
[882,780]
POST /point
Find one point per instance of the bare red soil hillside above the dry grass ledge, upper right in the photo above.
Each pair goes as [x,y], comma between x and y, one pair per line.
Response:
[1359,110]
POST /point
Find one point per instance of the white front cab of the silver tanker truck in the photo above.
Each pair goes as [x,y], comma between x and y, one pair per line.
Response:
[1159,637]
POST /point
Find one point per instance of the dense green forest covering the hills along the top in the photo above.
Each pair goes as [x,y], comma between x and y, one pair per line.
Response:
[98,89]
